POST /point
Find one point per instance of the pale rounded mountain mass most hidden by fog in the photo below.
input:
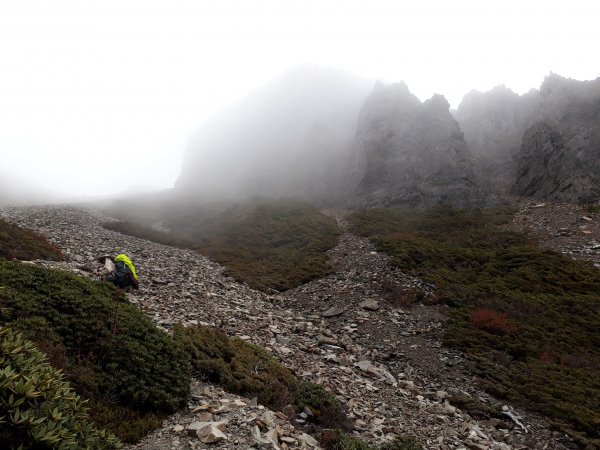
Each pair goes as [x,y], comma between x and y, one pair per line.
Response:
[288,138]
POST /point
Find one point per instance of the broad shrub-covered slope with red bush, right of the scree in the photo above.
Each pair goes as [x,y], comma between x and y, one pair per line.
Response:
[539,340]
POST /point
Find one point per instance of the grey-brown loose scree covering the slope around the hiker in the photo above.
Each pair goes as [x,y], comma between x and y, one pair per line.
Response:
[350,331]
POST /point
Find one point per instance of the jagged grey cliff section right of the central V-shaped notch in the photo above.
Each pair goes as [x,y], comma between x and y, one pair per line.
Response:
[544,144]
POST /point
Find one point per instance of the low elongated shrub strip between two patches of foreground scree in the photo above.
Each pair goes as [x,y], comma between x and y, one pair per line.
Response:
[245,369]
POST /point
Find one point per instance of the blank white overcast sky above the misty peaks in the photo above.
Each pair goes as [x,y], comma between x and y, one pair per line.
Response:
[97,96]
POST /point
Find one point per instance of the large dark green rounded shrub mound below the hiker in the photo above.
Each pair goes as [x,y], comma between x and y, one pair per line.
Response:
[110,351]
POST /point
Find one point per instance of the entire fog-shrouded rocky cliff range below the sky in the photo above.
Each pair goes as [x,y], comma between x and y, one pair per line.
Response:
[325,135]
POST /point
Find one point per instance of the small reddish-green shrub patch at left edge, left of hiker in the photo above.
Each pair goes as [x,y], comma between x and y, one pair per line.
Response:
[17,243]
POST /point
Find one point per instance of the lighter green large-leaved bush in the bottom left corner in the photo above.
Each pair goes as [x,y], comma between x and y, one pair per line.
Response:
[38,408]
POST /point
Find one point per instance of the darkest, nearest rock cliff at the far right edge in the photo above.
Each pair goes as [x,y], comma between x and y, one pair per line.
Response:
[559,157]
